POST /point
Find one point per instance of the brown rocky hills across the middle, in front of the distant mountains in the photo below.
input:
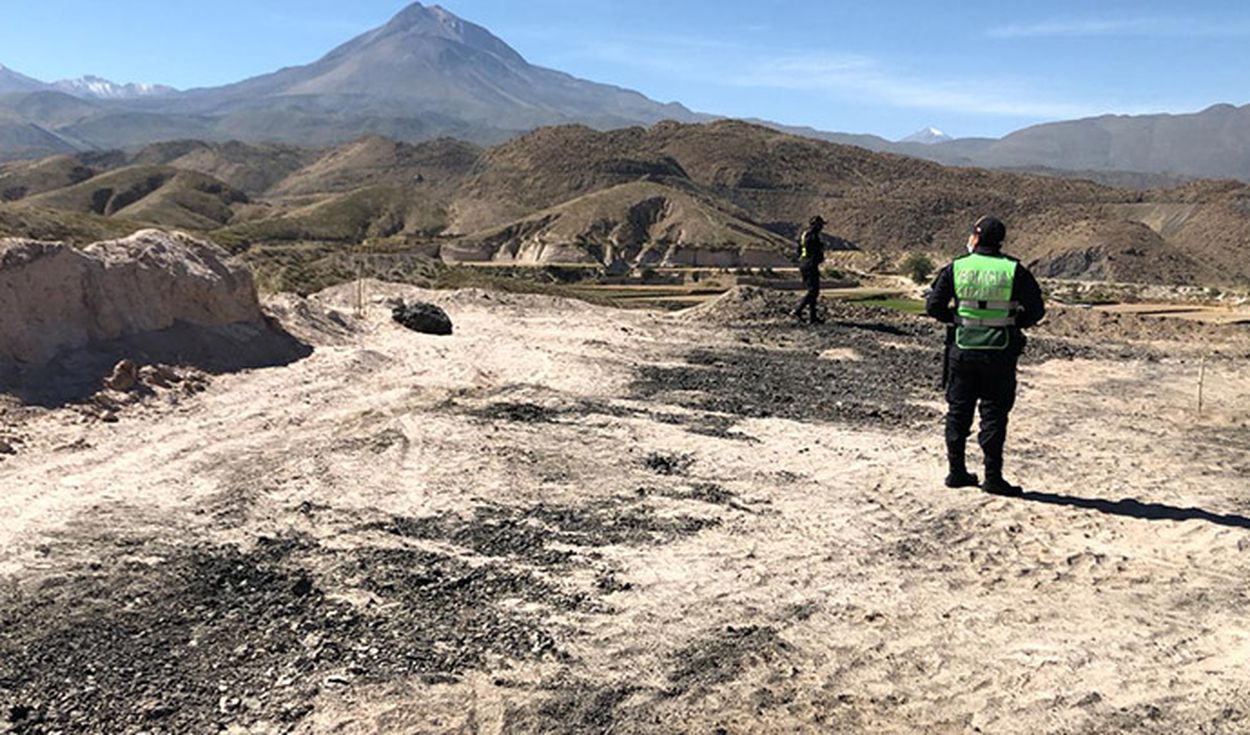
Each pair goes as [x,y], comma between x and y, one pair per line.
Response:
[672,194]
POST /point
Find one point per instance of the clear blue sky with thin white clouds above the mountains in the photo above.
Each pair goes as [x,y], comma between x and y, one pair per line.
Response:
[886,67]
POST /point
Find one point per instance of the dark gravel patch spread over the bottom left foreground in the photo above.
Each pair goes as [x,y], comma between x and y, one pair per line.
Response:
[214,637]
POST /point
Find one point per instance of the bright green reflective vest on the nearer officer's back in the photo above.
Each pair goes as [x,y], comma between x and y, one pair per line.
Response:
[984,309]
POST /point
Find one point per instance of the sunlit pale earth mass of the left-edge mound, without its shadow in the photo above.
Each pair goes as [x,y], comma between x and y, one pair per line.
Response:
[56,298]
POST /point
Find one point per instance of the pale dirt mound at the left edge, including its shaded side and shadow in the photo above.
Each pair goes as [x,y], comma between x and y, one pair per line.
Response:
[154,297]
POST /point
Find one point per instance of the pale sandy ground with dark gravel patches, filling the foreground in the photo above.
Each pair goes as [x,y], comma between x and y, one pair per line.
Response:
[541,524]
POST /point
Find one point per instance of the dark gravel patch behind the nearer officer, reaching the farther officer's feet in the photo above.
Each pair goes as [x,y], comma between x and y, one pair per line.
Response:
[776,369]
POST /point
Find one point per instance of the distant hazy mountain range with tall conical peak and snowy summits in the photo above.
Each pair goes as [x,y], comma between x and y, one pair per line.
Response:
[429,74]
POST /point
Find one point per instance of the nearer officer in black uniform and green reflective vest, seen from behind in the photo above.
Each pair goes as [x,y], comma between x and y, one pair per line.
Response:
[989,299]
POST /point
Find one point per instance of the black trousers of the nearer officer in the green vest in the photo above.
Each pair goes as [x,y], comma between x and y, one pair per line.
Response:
[992,384]
